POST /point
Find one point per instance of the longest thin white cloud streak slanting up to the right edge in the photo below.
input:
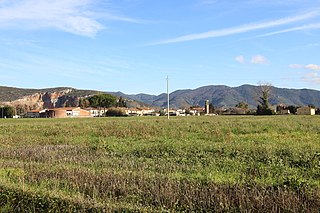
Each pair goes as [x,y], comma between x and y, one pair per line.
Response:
[241,29]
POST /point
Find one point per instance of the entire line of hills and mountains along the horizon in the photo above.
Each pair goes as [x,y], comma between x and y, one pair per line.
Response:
[219,96]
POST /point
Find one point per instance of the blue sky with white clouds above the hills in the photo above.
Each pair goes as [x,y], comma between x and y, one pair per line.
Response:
[132,45]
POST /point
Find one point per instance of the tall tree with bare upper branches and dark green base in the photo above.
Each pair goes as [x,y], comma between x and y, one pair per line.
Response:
[263,107]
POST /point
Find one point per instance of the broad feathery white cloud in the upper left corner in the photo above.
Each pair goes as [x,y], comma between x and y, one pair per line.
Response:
[73,16]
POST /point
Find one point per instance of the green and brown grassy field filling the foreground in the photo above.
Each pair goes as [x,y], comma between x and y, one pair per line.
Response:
[222,163]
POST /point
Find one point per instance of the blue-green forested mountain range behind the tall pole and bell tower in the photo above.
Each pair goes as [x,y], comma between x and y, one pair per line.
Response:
[224,96]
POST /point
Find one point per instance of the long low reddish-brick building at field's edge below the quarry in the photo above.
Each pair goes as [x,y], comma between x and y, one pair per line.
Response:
[67,112]
